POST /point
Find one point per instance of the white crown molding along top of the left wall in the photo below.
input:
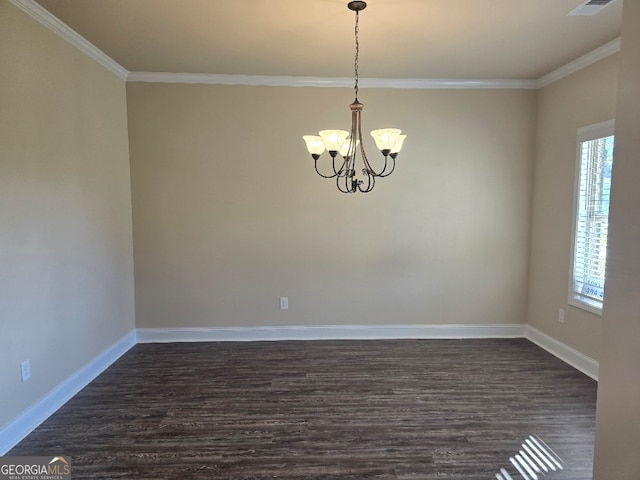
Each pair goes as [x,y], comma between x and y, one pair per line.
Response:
[38,13]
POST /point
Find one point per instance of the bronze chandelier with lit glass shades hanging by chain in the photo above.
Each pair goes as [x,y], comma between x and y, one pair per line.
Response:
[344,146]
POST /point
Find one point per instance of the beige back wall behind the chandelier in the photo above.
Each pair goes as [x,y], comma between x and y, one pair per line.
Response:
[229,214]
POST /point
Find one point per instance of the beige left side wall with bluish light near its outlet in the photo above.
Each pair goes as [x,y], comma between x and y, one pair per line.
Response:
[66,265]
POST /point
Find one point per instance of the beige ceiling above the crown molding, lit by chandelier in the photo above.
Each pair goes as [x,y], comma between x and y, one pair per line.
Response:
[424,39]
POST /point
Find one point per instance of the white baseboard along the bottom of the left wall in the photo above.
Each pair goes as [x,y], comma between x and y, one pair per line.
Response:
[37,413]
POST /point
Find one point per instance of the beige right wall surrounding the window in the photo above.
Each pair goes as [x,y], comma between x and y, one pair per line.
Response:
[584,98]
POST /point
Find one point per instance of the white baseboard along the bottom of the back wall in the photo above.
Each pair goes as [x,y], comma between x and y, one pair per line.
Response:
[328,332]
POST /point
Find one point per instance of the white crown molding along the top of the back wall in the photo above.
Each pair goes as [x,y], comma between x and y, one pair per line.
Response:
[327,82]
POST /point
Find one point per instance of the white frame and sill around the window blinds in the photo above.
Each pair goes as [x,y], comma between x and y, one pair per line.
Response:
[585,134]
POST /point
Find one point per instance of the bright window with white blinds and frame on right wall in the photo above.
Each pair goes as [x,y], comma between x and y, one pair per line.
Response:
[591,216]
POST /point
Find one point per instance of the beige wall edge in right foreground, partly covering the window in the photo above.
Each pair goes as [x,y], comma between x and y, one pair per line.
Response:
[618,413]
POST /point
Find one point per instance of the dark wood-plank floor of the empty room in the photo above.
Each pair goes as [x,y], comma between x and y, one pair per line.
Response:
[400,409]
